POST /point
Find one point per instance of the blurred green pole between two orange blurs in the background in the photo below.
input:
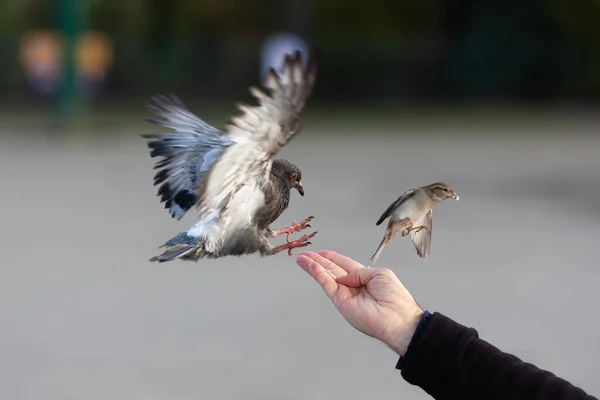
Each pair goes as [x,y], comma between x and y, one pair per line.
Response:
[71,17]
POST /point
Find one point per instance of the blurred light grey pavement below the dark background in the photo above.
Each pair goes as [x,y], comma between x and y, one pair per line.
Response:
[84,315]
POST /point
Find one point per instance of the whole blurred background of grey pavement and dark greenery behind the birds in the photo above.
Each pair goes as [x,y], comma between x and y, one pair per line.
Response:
[498,101]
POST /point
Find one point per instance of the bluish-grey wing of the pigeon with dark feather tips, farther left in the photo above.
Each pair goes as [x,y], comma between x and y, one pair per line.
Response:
[187,153]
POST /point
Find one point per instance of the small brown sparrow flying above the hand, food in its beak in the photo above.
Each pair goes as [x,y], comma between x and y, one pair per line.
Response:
[411,214]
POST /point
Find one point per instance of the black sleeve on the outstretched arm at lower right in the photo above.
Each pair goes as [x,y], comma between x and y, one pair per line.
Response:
[449,361]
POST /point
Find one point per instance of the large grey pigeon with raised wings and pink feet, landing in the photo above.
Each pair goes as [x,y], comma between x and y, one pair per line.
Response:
[231,177]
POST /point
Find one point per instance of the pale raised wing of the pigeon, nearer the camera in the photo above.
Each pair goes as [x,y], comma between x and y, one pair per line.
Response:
[266,128]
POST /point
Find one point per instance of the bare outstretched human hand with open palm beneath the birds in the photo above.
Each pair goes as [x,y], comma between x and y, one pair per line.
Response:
[372,300]
